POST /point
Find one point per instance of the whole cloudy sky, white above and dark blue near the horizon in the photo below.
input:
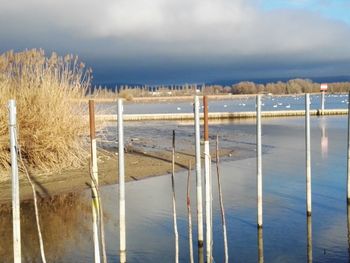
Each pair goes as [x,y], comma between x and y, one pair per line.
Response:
[178,41]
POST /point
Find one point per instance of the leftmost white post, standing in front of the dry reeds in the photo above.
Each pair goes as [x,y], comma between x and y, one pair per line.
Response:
[15,183]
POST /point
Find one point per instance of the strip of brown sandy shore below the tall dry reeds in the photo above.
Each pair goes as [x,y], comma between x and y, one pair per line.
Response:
[138,166]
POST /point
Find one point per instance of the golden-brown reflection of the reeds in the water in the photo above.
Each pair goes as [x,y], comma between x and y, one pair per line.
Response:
[62,222]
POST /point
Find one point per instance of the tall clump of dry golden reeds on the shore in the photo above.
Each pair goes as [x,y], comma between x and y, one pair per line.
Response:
[50,127]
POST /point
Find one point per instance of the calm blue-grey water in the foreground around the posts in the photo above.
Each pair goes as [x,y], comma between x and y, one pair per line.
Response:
[66,221]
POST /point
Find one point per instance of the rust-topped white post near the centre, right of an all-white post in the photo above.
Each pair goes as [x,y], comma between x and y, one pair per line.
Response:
[208,180]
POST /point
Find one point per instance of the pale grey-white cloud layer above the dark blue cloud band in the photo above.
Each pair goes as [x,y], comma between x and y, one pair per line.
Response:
[221,29]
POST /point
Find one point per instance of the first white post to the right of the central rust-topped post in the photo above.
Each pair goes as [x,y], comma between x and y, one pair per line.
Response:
[258,161]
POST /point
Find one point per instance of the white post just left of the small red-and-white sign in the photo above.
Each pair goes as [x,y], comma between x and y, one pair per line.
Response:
[308,154]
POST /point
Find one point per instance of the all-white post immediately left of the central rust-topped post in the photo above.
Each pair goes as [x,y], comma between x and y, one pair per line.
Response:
[198,171]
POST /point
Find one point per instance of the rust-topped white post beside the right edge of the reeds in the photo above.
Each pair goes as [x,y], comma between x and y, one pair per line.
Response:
[94,194]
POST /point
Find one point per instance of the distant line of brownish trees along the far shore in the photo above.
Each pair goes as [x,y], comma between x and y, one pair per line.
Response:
[293,86]
